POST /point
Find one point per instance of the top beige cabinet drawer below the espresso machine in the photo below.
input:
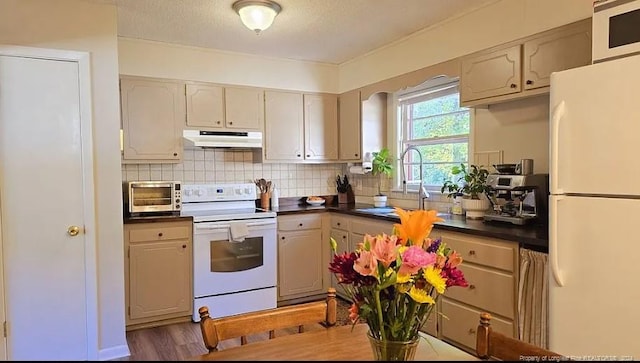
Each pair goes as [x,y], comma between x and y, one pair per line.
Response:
[481,250]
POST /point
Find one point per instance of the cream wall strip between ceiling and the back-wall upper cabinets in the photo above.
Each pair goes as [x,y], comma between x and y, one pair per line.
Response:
[164,60]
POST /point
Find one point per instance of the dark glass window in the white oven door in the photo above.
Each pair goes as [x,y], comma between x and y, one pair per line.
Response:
[230,256]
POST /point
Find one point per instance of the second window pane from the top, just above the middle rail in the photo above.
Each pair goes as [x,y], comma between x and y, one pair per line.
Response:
[439,126]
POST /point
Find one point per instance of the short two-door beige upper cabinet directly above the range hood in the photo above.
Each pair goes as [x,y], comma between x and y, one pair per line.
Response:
[217,107]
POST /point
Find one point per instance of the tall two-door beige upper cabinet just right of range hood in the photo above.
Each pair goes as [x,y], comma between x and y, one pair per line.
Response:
[300,127]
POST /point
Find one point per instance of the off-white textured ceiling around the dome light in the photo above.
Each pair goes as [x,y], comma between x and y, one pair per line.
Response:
[328,31]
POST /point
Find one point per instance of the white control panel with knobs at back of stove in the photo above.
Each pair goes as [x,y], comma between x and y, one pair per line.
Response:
[218,192]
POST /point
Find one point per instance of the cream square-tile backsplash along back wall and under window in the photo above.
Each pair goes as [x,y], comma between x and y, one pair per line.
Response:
[292,180]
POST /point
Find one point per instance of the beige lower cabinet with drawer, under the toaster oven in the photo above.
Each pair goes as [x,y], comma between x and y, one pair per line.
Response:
[158,273]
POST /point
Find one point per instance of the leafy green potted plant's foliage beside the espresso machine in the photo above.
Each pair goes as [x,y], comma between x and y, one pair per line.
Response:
[470,182]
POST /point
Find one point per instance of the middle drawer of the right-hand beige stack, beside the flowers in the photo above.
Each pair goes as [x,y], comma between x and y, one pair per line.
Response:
[489,290]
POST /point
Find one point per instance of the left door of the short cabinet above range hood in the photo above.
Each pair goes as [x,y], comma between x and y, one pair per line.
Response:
[205,106]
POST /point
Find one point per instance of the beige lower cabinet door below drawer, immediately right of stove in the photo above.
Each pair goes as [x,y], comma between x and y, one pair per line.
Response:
[300,267]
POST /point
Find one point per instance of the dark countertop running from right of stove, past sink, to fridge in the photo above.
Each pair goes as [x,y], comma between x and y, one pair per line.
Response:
[533,236]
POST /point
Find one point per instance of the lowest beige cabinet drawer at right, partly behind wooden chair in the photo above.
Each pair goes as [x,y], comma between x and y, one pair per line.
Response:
[460,323]
